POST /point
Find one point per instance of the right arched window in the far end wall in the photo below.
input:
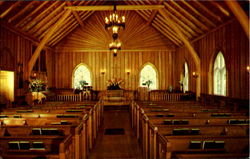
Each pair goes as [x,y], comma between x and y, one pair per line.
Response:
[148,75]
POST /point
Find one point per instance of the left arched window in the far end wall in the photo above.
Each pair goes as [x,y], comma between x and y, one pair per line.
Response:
[81,73]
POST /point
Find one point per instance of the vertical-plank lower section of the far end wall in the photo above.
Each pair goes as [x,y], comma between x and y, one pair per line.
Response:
[114,67]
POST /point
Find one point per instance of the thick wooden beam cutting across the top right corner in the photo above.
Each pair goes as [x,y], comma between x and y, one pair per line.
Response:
[240,15]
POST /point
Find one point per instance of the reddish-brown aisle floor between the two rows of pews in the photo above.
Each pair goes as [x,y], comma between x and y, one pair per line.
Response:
[116,146]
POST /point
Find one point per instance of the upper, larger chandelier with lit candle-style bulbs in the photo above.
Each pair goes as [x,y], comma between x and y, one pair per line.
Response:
[114,22]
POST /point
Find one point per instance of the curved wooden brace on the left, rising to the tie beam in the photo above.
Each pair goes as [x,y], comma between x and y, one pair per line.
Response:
[44,41]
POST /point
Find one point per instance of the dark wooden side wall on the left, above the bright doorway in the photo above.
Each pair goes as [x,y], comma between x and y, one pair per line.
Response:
[15,52]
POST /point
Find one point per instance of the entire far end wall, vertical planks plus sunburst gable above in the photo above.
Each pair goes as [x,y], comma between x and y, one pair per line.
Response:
[89,45]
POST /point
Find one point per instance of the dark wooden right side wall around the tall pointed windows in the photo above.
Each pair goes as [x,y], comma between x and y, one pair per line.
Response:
[234,44]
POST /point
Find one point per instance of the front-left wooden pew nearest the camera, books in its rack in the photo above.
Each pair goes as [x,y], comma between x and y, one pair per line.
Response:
[54,146]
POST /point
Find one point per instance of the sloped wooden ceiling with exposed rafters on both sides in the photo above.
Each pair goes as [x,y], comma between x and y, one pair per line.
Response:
[33,19]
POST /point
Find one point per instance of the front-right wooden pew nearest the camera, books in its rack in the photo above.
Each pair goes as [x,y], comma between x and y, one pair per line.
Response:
[170,146]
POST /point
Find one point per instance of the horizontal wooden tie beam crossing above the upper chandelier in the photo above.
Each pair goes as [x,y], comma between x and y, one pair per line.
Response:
[118,7]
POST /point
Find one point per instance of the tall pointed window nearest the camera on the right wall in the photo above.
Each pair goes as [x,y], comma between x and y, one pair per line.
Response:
[220,75]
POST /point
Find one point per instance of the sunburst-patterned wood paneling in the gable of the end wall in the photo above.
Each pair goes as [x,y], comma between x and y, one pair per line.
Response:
[136,35]
